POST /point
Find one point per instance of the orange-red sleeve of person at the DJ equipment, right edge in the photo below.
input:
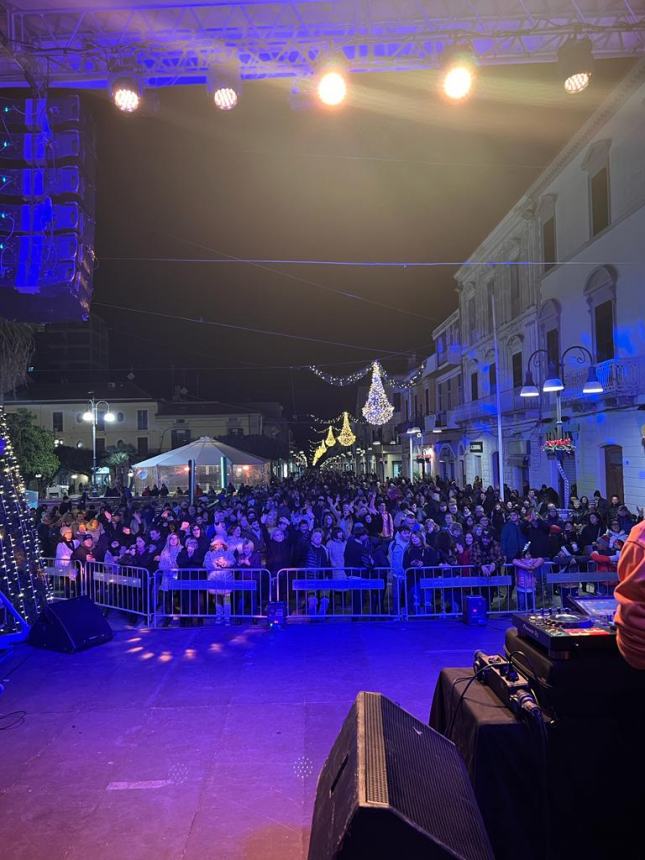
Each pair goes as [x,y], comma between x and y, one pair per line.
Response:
[630,594]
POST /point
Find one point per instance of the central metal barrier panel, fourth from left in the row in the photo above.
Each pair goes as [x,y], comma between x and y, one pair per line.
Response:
[328,592]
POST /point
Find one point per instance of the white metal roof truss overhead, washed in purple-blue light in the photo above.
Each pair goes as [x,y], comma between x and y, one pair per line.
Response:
[170,43]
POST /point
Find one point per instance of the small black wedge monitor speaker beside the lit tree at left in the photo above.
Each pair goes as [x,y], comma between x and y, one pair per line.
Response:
[70,625]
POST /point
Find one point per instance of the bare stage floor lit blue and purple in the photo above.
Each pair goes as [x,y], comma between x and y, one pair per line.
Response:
[198,742]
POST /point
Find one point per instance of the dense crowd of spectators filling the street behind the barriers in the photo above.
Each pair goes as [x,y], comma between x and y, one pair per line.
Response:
[340,524]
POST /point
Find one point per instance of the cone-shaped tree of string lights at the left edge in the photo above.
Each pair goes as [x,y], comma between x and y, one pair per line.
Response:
[22,577]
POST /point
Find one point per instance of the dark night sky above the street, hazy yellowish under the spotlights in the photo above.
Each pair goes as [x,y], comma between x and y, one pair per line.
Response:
[396,175]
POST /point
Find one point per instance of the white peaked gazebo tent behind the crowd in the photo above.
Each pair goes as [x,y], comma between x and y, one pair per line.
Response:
[215,464]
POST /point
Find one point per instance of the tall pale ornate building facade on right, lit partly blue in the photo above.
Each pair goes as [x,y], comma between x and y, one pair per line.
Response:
[560,283]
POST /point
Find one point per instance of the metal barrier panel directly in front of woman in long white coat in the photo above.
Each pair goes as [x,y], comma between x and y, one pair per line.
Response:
[229,594]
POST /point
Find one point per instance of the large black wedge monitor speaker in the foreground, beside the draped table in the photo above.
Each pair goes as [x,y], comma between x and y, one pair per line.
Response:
[393,787]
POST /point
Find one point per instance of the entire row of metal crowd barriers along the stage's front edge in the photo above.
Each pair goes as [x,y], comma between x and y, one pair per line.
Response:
[245,593]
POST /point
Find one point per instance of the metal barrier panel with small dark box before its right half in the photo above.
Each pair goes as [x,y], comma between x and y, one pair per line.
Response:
[439,591]
